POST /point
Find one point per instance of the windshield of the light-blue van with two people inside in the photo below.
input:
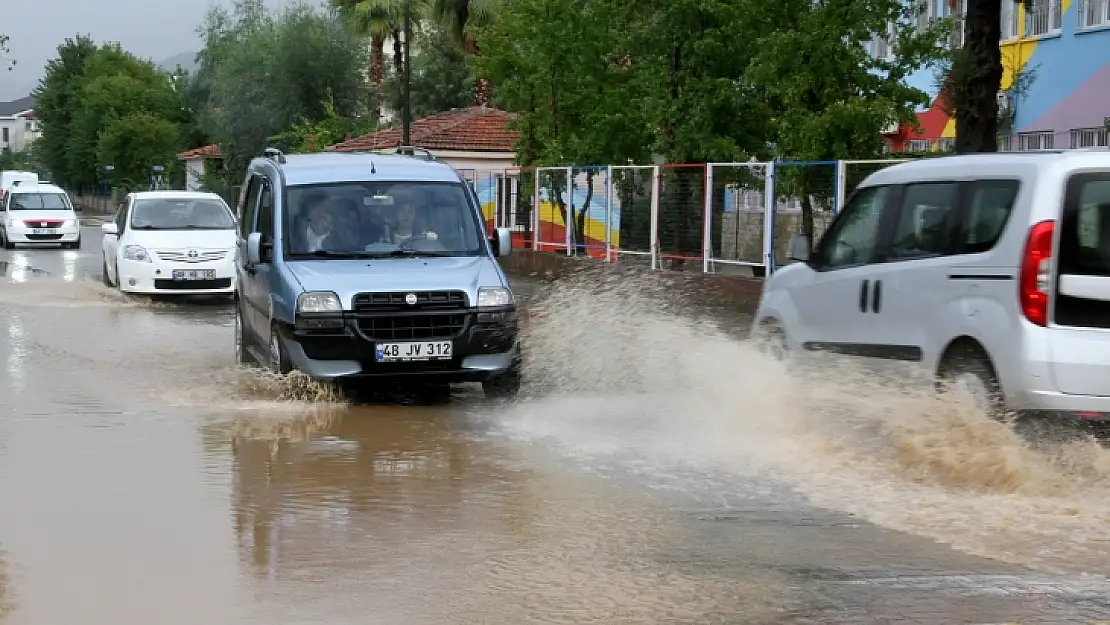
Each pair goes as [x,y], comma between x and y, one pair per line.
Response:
[372,219]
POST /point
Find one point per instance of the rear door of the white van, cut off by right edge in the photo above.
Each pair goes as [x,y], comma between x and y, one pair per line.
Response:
[1079,341]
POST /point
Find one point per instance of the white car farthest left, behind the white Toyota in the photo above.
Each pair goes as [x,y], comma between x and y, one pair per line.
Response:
[38,214]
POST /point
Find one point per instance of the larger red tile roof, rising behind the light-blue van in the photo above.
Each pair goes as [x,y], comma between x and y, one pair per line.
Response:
[475,129]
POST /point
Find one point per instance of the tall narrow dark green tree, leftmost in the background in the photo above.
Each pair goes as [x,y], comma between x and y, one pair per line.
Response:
[56,102]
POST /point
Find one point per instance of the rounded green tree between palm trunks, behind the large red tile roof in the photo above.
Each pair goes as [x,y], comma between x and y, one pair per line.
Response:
[441,78]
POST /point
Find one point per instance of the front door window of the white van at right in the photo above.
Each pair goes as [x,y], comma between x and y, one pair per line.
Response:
[853,238]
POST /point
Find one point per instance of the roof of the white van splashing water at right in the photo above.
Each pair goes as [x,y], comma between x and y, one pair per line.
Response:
[991,165]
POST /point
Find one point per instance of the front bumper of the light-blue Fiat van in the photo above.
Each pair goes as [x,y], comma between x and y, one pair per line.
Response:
[486,347]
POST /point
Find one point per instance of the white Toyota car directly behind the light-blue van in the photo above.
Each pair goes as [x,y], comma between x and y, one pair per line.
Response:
[171,243]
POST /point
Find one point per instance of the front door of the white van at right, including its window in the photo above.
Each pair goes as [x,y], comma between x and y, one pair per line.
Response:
[836,299]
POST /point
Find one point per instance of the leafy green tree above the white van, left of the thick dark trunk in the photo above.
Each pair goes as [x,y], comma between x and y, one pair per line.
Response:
[828,97]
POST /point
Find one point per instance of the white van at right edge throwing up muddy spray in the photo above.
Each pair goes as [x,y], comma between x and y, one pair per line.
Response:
[988,271]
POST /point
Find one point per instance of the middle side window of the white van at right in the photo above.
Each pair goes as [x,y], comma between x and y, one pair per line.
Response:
[926,220]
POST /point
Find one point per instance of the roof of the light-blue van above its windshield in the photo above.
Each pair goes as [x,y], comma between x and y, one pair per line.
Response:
[347,167]
